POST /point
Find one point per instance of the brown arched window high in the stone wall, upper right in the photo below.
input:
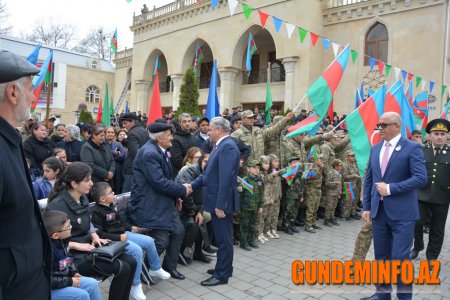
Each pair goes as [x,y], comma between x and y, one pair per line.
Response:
[376,45]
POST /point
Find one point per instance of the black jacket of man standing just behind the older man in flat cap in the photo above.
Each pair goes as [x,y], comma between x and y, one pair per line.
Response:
[181,143]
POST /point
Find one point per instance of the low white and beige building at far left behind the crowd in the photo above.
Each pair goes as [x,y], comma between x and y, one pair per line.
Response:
[76,79]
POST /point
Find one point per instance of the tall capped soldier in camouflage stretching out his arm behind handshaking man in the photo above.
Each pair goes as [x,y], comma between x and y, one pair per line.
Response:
[254,136]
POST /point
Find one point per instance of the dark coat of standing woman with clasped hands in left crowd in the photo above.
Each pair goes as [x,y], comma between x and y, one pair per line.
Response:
[99,158]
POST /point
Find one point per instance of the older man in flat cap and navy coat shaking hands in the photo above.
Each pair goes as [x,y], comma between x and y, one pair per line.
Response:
[155,196]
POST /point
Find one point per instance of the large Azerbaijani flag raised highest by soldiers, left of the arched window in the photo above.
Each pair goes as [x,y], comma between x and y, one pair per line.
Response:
[321,92]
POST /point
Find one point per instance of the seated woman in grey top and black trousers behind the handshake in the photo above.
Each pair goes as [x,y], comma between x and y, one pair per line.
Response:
[191,214]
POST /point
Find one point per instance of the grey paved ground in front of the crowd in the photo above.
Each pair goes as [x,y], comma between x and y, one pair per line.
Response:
[265,273]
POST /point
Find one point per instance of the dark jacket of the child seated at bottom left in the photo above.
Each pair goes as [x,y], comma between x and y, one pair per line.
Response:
[63,268]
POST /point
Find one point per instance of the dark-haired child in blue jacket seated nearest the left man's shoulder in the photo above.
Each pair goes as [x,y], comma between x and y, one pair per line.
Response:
[53,168]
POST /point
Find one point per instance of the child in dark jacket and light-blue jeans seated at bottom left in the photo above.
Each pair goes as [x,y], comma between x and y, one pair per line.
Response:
[66,282]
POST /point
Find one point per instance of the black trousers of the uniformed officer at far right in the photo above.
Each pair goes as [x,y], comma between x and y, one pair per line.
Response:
[438,218]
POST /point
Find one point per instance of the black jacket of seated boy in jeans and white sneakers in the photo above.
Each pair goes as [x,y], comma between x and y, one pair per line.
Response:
[108,222]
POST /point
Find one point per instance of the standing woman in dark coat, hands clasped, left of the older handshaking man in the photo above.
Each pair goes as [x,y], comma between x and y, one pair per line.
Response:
[96,153]
